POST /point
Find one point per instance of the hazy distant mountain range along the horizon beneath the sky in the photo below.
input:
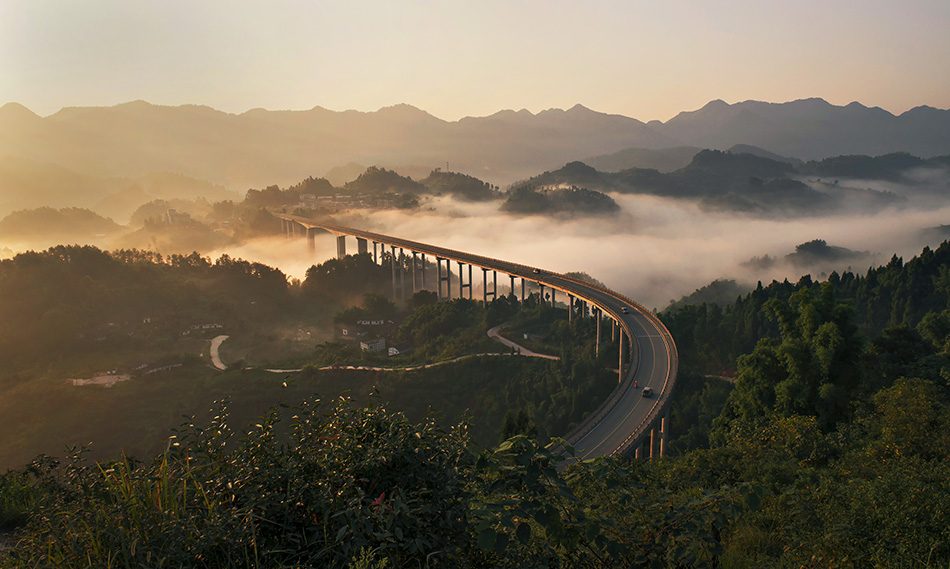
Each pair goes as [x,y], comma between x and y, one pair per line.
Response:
[260,147]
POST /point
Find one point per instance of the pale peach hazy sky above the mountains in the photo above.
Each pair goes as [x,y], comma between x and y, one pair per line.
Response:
[648,60]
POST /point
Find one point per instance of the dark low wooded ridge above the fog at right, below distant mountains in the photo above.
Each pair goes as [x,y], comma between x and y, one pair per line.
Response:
[760,185]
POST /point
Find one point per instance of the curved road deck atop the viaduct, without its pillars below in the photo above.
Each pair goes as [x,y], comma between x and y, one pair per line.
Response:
[626,419]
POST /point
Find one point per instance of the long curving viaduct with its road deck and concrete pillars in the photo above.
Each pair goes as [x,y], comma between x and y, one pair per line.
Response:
[627,422]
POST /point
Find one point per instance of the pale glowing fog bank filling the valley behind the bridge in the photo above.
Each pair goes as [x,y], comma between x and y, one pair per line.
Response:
[655,251]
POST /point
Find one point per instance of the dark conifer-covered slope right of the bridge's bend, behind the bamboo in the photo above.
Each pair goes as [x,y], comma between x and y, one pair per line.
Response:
[912,295]
